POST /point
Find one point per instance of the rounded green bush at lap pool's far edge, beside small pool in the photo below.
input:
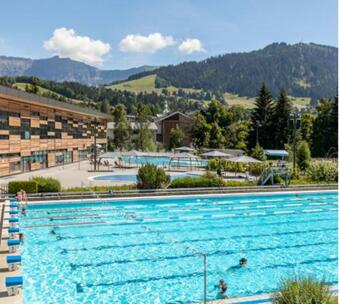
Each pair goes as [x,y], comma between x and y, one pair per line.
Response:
[151,177]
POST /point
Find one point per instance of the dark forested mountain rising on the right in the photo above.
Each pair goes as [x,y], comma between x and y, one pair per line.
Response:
[304,70]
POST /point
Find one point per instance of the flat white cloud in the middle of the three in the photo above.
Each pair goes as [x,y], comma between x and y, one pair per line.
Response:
[145,44]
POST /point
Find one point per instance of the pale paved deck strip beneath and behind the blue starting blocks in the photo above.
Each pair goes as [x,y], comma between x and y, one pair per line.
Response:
[4,272]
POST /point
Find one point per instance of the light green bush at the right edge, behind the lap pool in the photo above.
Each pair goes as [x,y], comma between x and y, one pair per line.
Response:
[323,171]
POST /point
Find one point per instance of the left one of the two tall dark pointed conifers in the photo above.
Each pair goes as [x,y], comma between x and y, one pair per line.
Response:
[262,120]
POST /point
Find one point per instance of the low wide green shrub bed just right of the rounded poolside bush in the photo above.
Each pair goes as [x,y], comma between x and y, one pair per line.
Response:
[206,180]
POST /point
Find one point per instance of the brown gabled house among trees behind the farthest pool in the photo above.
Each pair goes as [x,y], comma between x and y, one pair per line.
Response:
[170,121]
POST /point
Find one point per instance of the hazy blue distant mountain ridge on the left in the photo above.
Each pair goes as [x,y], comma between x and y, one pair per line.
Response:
[64,69]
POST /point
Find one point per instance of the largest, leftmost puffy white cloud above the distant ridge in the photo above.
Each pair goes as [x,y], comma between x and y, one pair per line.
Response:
[66,43]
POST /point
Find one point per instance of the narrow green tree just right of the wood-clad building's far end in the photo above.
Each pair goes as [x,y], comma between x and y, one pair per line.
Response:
[122,129]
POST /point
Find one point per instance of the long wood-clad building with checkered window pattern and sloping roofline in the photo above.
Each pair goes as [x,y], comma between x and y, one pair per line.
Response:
[38,132]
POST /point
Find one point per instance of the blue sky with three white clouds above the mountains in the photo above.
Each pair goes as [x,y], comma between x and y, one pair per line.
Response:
[122,34]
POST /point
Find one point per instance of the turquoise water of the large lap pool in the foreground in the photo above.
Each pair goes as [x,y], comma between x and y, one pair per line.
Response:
[146,251]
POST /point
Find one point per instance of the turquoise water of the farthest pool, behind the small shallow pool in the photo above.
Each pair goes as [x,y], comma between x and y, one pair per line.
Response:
[163,161]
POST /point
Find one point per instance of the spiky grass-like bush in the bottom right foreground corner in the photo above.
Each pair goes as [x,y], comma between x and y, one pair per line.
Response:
[303,291]
